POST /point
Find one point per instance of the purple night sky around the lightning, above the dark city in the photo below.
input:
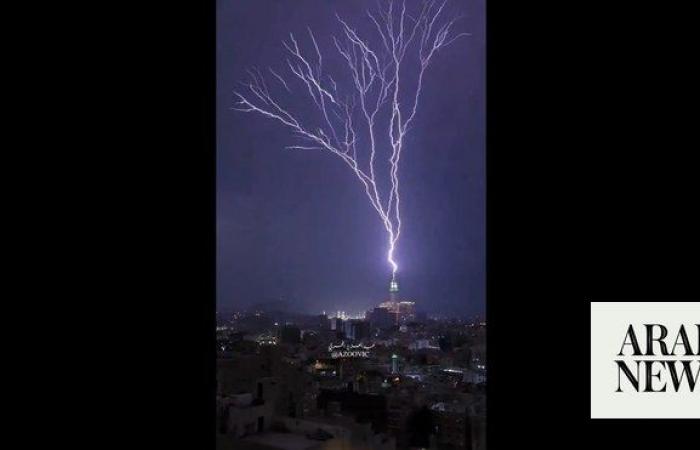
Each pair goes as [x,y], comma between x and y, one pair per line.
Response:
[297,224]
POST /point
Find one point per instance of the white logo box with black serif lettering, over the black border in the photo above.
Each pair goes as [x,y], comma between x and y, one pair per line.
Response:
[610,322]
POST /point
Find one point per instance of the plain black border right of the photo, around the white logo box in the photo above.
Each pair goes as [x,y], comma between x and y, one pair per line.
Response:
[589,192]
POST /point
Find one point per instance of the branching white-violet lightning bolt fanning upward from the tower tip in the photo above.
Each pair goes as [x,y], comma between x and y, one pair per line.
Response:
[376,78]
